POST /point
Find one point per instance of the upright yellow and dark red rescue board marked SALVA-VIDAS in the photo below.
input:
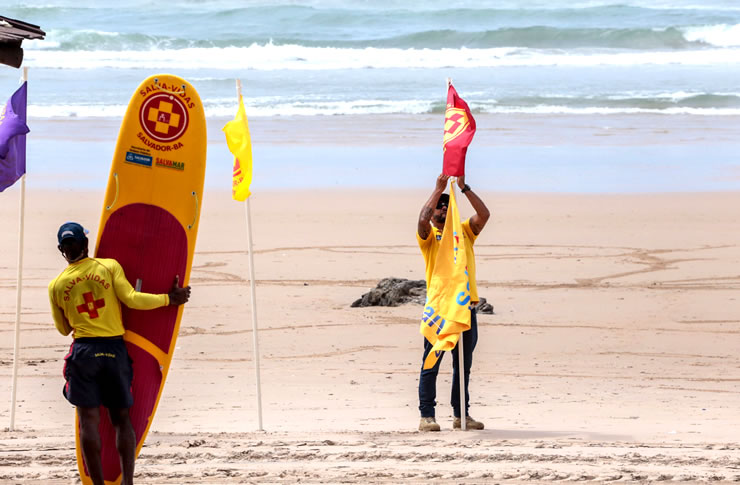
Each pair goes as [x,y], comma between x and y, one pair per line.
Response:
[149,225]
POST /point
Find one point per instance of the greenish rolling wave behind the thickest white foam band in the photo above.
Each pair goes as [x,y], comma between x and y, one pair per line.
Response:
[541,37]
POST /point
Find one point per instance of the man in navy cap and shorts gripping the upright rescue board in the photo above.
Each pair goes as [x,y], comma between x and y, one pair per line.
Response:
[86,301]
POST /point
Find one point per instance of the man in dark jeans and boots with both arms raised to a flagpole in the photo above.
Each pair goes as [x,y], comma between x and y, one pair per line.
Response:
[429,233]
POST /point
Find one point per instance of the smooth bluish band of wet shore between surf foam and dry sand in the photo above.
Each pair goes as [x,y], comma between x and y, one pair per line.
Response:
[559,154]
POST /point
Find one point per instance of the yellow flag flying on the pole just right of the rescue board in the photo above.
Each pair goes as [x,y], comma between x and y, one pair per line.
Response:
[240,145]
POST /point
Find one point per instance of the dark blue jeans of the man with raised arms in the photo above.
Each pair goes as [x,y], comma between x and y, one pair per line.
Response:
[428,377]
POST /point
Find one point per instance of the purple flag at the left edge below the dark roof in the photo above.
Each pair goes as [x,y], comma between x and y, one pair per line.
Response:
[13,131]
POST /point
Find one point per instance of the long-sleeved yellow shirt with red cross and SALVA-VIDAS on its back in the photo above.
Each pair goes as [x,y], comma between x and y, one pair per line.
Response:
[86,298]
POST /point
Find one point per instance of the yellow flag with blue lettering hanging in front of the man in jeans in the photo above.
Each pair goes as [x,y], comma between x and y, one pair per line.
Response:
[447,311]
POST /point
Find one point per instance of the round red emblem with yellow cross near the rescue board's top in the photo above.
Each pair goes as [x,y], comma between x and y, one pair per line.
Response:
[164,117]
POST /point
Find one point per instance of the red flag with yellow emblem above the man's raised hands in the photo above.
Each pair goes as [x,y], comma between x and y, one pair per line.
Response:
[458,133]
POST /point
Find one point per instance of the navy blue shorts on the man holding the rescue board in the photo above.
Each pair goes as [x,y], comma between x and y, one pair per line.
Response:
[98,372]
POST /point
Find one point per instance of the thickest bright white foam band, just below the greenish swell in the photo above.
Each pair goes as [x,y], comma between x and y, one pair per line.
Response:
[270,57]
